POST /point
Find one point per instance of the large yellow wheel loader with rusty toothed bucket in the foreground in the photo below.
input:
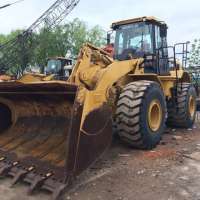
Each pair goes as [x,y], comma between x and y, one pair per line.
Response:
[51,131]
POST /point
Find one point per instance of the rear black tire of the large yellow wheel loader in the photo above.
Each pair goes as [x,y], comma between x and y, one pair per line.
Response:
[179,109]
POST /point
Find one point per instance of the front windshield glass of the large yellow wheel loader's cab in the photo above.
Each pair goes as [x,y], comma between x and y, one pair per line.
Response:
[134,38]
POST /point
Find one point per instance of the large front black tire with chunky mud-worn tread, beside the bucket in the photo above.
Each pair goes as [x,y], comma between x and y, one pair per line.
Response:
[131,117]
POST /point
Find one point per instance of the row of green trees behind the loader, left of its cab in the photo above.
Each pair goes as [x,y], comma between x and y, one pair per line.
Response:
[49,43]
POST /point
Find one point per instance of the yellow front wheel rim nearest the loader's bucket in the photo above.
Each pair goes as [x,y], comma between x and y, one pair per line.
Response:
[154,115]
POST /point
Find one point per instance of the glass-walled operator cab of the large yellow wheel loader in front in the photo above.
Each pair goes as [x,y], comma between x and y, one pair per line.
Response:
[142,38]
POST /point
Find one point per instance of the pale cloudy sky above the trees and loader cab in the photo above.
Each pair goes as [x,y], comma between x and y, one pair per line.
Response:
[182,16]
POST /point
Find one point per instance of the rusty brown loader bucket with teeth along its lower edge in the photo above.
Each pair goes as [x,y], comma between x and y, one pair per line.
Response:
[42,141]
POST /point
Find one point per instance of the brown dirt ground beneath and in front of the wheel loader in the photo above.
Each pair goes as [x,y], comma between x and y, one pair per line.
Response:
[169,172]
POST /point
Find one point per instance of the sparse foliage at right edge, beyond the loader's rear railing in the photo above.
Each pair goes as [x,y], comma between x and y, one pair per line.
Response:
[195,54]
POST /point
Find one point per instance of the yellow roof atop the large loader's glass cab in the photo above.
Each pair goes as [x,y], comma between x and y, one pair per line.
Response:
[136,20]
